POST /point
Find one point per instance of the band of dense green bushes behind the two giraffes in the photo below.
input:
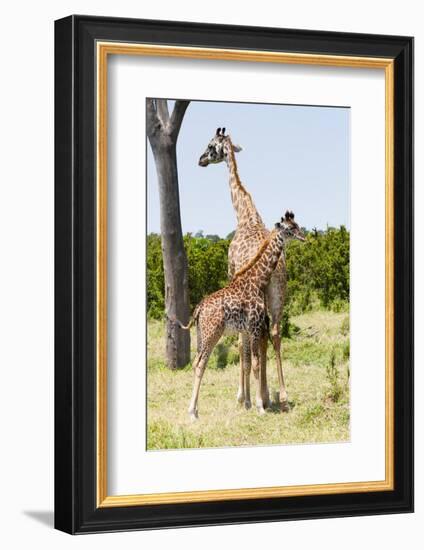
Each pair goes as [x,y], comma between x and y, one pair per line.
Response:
[317,272]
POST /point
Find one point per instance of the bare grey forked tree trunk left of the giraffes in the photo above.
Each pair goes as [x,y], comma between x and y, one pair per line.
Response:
[163,134]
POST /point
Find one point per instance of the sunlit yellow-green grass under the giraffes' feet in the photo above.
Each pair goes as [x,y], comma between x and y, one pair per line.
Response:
[316,369]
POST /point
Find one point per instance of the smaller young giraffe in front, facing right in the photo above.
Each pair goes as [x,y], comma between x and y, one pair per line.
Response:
[240,306]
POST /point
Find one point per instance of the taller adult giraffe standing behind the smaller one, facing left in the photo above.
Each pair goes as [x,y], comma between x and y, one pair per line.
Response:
[249,235]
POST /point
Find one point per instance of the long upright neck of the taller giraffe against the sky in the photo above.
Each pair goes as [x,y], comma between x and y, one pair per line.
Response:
[242,201]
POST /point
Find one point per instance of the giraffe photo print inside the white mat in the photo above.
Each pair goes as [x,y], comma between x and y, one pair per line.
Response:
[248,236]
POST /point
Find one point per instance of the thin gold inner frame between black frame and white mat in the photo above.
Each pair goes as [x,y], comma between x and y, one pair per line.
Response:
[104,49]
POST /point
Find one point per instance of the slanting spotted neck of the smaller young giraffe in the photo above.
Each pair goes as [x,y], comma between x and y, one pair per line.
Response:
[260,268]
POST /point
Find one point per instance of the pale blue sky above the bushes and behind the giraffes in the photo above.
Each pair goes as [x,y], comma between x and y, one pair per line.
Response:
[293,157]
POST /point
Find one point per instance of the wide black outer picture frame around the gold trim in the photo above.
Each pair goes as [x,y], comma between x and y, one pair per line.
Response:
[76,510]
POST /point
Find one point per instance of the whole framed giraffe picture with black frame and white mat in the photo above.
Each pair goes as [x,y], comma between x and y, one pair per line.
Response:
[234,274]
